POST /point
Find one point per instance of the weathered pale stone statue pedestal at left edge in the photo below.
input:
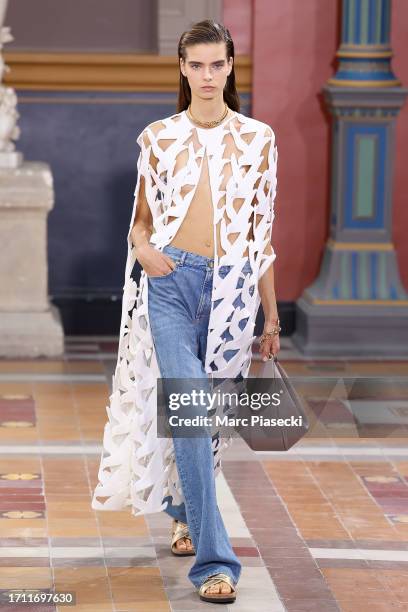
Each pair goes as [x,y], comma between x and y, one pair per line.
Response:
[29,325]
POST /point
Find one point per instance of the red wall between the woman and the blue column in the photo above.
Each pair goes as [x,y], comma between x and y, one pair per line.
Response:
[294,46]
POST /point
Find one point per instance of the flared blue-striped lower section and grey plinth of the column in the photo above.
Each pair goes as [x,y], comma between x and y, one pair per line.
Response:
[357,305]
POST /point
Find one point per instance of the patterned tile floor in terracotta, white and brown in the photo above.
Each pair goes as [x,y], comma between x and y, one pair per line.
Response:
[322,527]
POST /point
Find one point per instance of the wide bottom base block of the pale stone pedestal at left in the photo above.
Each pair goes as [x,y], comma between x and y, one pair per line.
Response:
[31,334]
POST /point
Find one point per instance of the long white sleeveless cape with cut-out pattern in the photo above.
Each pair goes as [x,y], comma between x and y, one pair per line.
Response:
[137,468]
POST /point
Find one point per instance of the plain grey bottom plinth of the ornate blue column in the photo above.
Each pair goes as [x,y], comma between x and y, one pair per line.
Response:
[366,331]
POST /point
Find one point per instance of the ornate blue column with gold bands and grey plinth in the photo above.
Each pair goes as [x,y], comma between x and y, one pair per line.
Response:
[357,305]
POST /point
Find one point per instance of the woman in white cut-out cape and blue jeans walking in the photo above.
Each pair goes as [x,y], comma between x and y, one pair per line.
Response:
[201,230]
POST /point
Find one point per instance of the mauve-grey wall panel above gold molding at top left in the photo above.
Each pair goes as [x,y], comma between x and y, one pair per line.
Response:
[127,26]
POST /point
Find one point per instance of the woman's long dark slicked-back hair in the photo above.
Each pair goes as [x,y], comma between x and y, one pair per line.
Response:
[207,31]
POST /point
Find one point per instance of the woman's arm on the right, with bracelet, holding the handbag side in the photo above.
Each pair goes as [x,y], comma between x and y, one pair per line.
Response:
[266,284]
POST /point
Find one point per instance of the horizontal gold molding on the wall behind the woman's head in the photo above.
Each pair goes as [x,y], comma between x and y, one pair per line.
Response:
[103,71]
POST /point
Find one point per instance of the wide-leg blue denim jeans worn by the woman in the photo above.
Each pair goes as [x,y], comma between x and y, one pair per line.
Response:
[179,306]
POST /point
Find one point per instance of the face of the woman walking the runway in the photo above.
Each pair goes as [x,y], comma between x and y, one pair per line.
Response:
[206,68]
